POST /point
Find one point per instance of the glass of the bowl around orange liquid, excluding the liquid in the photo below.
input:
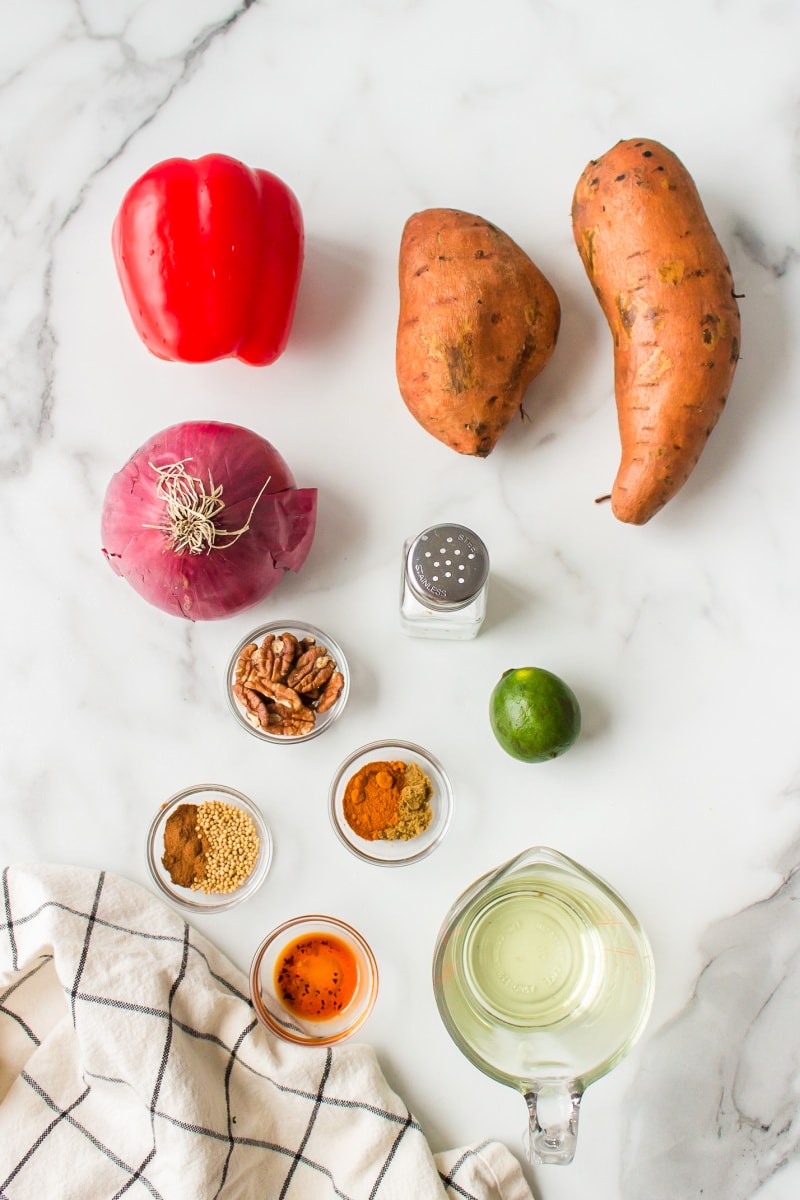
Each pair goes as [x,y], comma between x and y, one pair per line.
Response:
[280,1019]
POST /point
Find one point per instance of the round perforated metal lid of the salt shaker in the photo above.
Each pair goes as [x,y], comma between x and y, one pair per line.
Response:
[447,567]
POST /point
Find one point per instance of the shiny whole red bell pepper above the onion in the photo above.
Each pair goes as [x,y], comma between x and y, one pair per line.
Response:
[209,254]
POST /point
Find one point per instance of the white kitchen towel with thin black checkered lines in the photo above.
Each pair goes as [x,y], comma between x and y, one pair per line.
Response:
[131,1065]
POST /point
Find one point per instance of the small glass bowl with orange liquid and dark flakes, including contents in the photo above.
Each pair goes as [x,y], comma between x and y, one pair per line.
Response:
[314,981]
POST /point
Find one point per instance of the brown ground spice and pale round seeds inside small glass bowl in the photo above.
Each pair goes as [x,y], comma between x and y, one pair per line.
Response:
[210,848]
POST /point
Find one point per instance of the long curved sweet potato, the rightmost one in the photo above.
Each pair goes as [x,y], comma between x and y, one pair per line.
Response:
[665,286]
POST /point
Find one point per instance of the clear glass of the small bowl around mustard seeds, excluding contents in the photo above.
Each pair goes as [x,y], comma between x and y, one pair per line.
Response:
[208,902]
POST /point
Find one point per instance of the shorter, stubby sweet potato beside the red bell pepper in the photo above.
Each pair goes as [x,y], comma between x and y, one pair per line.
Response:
[478,322]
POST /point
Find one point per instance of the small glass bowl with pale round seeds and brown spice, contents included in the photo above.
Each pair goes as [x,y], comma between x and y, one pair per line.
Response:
[209,849]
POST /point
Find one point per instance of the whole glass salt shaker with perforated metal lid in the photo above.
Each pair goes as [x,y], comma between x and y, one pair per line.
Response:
[446,584]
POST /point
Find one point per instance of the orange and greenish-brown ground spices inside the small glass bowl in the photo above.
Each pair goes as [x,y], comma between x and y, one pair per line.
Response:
[388,801]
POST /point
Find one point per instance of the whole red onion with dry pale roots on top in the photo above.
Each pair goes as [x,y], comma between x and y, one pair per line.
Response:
[204,520]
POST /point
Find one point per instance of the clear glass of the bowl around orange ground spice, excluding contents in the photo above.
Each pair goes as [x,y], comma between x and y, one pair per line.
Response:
[394,854]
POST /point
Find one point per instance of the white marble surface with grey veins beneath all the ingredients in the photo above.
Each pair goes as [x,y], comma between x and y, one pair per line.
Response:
[679,638]
